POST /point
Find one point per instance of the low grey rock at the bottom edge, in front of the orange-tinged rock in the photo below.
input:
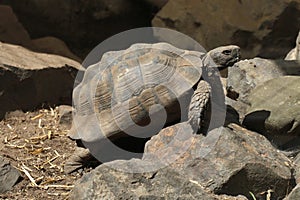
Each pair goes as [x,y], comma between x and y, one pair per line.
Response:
[107,183]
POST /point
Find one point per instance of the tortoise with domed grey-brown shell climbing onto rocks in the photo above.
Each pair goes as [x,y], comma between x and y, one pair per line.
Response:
[121,91]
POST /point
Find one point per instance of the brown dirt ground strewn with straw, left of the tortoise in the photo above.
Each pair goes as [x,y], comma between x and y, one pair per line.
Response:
[37,145]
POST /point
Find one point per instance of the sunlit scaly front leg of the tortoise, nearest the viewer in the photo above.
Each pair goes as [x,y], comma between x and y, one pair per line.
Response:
[198,104]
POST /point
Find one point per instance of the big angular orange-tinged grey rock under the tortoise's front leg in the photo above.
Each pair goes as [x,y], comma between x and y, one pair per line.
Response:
[228,161]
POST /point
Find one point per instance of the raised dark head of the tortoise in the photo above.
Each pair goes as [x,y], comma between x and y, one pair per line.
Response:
[223,56]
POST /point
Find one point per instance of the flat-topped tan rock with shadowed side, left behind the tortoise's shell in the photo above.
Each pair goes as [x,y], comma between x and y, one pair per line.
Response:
[29,80]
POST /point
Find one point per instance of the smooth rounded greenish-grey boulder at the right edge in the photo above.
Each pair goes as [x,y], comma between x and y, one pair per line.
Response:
[275,110]
